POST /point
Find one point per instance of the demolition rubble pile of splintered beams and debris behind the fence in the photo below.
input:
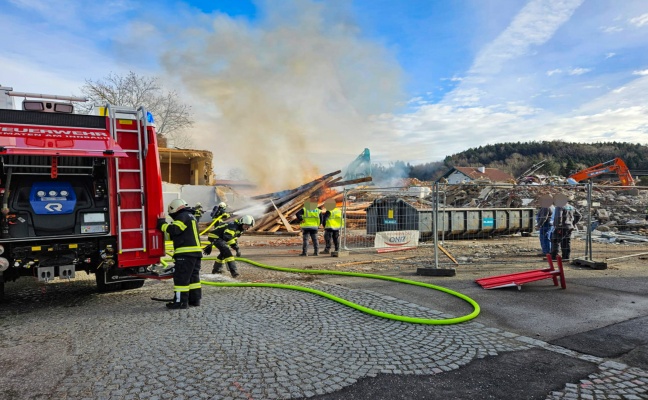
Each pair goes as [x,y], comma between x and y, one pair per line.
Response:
[617,213]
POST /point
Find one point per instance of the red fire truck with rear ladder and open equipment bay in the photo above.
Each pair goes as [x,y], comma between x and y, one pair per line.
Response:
[78,192]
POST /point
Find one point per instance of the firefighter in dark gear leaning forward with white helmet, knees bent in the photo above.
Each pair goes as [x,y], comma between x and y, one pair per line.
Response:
[225,237]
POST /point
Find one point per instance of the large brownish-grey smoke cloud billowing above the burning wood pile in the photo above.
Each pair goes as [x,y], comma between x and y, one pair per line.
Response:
[289,95]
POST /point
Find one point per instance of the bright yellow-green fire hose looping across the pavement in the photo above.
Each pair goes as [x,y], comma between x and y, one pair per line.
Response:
[415,320]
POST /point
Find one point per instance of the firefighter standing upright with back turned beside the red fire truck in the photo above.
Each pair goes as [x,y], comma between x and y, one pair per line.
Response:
[187,254]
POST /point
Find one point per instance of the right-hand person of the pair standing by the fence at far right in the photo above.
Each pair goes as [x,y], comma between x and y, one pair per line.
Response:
[564,220]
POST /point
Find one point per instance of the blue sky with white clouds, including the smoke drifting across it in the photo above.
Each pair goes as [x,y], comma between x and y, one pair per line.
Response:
[300,87]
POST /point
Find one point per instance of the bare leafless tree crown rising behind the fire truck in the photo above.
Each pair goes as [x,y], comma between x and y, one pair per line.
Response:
[171,116]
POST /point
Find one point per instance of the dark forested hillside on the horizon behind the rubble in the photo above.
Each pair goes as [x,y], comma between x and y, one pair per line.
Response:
[560,158]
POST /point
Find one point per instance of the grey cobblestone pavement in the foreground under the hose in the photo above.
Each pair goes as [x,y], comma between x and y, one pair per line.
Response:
[244,343]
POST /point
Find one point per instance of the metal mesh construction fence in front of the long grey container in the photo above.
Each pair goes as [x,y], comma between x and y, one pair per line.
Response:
[493,223]
